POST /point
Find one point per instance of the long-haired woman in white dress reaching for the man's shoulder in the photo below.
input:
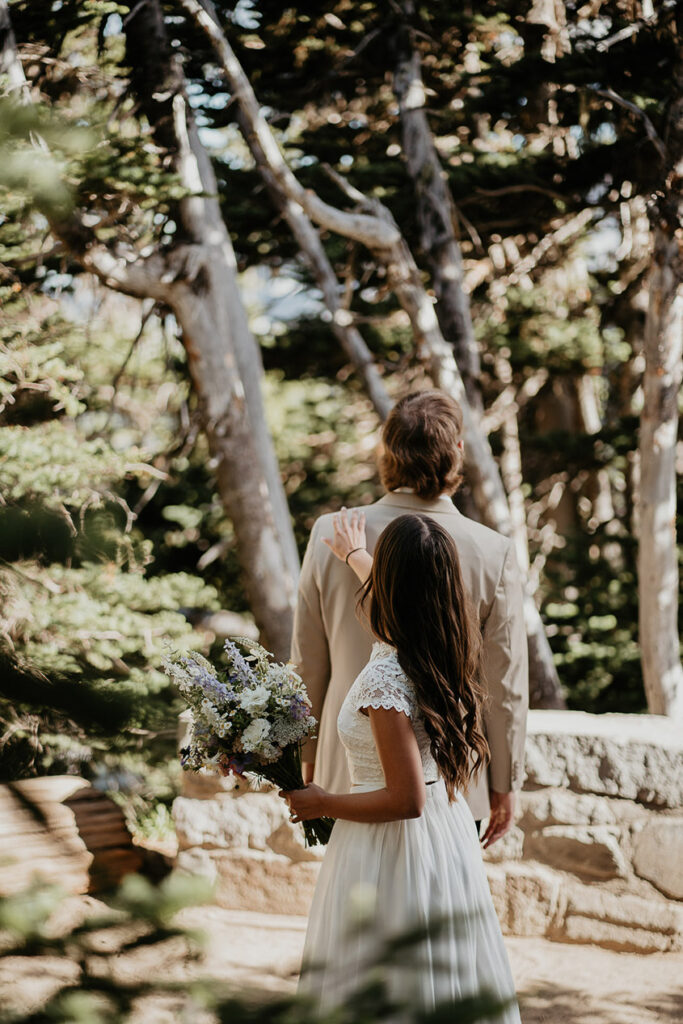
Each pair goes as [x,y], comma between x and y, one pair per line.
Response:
[405,838]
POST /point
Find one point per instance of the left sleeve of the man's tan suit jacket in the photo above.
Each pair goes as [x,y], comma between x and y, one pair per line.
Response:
[311,654]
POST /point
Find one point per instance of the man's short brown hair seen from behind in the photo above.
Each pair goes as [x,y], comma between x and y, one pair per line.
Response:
[420,445]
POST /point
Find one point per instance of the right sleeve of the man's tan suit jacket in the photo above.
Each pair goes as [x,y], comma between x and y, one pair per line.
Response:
[505,665]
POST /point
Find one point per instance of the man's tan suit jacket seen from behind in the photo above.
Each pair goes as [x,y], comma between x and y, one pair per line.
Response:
[330,646]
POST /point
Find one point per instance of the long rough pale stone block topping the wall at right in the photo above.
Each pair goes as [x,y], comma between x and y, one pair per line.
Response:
[636,757]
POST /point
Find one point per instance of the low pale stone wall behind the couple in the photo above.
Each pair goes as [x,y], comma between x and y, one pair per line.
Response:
[596,855]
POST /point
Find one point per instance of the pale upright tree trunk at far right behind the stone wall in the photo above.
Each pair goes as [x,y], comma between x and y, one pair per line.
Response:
[658,554]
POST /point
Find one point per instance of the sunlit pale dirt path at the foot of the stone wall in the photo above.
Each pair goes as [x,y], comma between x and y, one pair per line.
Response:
[557,984]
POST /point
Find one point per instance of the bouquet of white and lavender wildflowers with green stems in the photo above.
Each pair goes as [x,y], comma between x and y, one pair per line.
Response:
[252,716]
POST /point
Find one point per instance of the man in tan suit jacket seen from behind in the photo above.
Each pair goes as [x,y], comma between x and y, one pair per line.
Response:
[420,467]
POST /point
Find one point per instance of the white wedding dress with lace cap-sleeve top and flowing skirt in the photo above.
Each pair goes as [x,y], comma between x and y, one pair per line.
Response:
[378,882]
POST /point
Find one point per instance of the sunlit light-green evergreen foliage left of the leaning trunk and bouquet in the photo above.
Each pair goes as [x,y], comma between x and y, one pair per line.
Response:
[86,621]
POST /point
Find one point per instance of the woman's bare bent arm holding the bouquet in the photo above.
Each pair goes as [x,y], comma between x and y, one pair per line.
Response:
[403,796]
